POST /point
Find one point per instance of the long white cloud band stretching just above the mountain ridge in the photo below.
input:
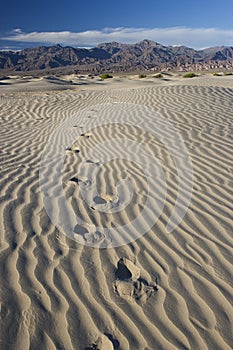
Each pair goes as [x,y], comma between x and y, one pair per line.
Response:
[192,37]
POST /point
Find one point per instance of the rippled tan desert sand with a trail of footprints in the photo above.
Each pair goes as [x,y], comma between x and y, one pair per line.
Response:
[162,290]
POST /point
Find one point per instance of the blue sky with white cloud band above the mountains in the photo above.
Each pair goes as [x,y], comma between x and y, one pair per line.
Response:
[83,23]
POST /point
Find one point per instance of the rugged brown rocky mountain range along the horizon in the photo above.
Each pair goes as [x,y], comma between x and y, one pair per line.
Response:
[116,57]
